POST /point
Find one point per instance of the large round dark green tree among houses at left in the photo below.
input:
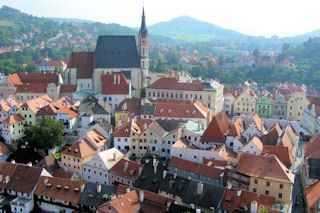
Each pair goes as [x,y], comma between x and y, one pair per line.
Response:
[47,134]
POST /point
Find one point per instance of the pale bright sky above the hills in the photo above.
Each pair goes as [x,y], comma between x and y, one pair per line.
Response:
[253,17]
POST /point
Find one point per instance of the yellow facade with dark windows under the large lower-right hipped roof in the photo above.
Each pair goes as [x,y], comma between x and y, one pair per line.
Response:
[281,191]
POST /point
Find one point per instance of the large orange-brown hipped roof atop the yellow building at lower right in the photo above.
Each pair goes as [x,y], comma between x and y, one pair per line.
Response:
[268,167]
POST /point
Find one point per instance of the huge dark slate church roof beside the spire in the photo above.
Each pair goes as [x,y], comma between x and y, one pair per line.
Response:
[116,52]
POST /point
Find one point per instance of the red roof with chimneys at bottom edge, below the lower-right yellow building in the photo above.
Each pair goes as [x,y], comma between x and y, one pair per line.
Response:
[231,202]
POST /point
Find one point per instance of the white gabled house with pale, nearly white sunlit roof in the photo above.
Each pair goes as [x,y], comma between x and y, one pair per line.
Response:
[97,169]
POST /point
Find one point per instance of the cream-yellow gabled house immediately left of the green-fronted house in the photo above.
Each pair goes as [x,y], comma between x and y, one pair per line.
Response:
[245,103]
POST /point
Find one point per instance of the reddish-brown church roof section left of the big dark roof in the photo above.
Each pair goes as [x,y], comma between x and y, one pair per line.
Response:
[83,62]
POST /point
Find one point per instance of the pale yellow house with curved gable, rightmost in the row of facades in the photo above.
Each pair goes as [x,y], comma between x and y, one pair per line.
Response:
[296,104]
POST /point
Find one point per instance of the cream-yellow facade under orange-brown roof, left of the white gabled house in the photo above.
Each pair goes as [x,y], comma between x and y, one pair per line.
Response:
[74,163]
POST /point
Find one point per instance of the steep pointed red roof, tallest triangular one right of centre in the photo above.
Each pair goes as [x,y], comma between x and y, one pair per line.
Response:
[217,128]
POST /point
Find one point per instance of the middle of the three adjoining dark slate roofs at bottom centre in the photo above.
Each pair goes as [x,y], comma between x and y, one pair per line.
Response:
[175,186]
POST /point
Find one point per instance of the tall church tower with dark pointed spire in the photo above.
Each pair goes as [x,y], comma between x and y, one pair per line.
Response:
[143,50]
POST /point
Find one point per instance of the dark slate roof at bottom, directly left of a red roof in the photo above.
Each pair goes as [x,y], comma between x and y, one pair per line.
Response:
[211,196]
